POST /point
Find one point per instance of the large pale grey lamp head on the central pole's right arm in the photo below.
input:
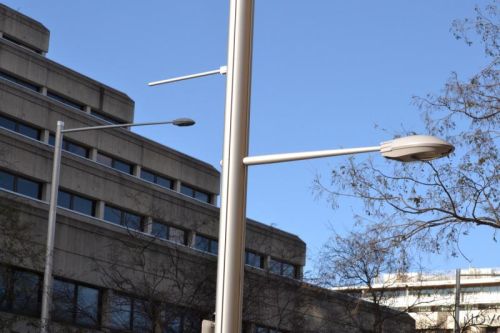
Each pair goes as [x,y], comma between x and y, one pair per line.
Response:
[416,148]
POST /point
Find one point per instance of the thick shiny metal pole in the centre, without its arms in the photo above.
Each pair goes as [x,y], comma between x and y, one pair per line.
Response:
[228,315]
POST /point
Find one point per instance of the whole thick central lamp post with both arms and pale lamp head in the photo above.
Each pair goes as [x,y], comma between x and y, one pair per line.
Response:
[235,162]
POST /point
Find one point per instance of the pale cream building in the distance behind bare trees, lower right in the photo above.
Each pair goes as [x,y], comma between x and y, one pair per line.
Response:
[431,299]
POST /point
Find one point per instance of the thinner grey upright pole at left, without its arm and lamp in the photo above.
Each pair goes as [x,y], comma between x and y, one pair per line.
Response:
[51,228]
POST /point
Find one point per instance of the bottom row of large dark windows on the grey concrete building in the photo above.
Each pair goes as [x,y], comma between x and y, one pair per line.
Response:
[81,305]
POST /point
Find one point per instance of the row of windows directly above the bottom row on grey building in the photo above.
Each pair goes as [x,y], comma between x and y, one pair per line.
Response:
[119,216]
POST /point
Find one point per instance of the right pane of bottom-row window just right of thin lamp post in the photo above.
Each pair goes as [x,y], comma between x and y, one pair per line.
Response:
[87,306]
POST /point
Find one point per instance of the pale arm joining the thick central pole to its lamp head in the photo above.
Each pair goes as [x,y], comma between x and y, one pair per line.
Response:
[287,157]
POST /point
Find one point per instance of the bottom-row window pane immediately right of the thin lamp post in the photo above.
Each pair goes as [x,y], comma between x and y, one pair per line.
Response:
[63,301]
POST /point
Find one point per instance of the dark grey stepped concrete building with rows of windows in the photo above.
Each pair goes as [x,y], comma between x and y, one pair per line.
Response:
[137,224]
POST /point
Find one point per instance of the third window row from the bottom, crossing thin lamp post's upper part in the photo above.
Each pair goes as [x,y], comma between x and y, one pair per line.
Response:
[107,160]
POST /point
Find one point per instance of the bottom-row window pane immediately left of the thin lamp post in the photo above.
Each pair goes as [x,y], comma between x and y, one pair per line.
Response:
[25,293]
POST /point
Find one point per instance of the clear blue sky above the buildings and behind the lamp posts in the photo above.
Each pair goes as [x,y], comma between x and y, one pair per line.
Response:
[326,74]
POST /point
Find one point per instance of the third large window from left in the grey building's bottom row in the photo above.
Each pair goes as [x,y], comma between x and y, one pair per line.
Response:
[129,313]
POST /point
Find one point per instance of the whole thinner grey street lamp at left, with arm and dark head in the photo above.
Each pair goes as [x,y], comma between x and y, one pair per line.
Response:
[51,226]
